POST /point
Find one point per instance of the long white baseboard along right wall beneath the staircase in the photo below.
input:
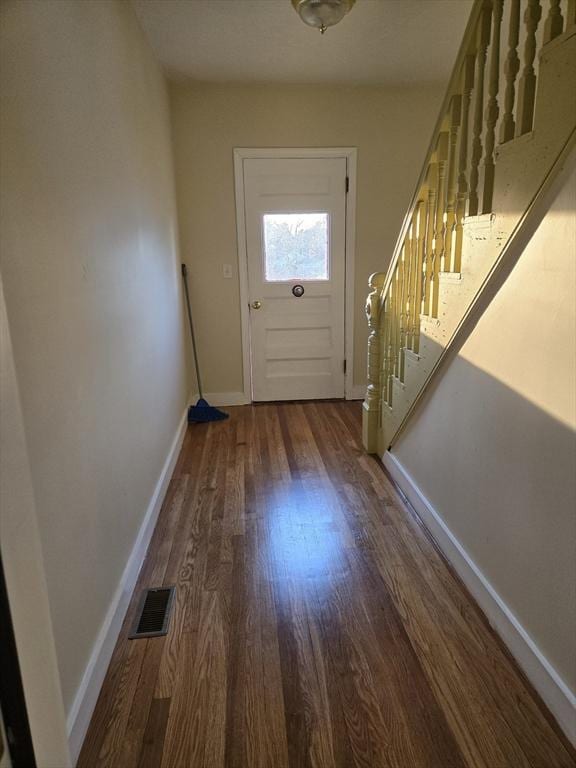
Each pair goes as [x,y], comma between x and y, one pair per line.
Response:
[559,699]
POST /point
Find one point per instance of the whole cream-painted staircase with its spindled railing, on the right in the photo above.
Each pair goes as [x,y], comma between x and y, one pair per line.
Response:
[506,130]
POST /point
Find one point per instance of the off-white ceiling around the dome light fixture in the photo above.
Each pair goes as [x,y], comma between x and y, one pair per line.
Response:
[391,42]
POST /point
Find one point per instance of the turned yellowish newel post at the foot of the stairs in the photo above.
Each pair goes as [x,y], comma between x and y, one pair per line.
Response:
[373,400]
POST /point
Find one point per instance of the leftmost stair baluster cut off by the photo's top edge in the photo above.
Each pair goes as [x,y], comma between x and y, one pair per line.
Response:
[492,110]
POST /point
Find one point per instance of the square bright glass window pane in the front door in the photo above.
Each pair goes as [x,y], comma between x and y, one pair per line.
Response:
[295,246]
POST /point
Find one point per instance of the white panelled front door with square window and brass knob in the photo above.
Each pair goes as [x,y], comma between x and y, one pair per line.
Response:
[295,239]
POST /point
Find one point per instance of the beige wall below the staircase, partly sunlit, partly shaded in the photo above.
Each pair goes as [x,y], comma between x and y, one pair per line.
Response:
[494,448]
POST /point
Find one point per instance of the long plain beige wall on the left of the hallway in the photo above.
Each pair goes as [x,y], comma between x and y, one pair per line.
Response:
[93,293]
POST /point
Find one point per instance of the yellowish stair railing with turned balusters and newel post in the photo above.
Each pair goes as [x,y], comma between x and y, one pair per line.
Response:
[457,179]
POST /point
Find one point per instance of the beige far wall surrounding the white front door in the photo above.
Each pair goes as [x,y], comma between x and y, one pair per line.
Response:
[391,129]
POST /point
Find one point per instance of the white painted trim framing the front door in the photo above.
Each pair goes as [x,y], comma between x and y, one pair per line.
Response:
[350,154]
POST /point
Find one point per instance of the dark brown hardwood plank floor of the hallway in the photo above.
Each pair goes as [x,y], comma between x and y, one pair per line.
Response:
[314,624]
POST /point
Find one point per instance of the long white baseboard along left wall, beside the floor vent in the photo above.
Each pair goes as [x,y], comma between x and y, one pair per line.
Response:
[84,702]
